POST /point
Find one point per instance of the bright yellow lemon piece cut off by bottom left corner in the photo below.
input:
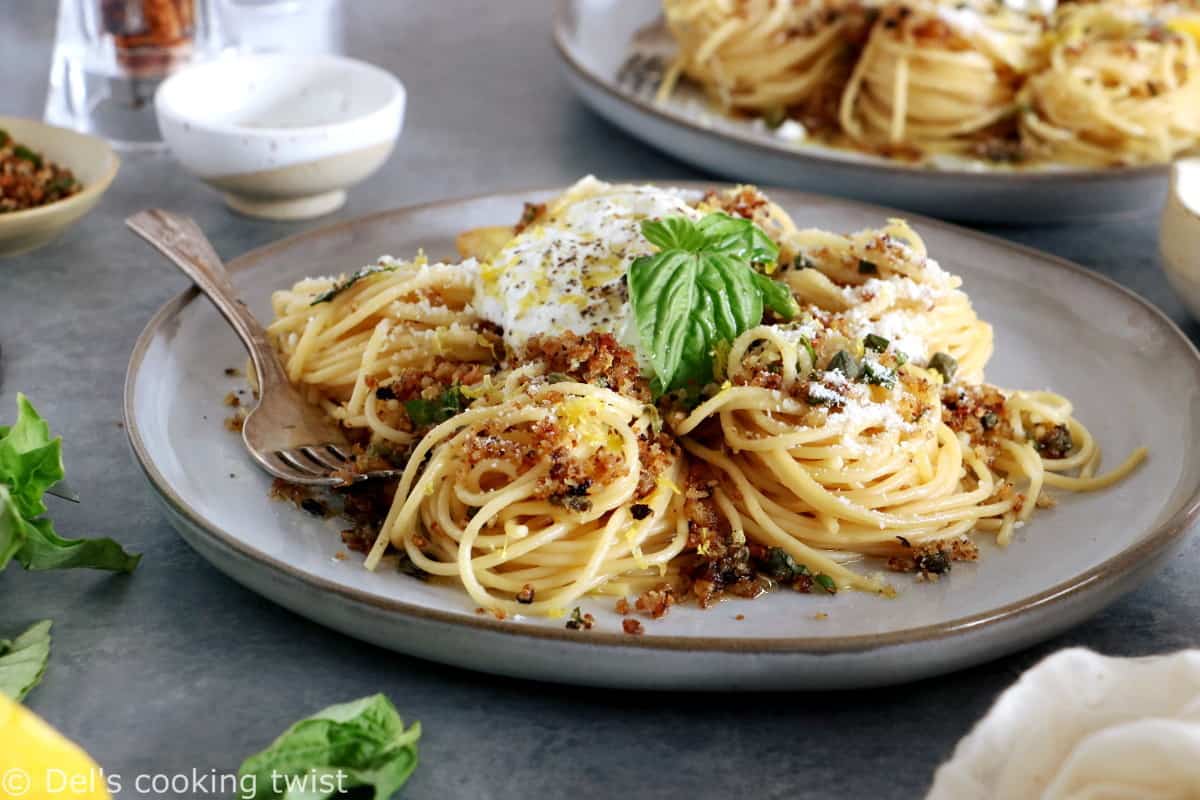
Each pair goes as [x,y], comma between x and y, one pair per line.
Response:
[38,763]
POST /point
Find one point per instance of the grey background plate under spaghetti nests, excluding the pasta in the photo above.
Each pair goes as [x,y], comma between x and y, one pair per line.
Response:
[596,40]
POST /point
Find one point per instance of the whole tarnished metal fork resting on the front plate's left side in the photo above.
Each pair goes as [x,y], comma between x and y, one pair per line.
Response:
[286,436]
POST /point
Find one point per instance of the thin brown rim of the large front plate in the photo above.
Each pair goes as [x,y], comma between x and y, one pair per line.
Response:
[1159,540]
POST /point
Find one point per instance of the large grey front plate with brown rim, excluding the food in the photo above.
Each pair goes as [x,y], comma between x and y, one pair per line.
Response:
[1133,375]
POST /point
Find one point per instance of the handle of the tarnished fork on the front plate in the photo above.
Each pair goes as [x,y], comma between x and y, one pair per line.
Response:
[182,240]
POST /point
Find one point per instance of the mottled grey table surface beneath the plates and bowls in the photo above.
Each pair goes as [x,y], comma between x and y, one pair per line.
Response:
[178,669]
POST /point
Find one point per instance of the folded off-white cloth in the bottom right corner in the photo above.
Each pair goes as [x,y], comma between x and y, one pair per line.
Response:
[1081,726]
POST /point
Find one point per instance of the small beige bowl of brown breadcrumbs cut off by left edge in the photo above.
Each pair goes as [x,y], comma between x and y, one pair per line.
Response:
[50,178]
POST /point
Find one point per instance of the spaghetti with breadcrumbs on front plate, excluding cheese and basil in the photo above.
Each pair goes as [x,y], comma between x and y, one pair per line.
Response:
[860,428]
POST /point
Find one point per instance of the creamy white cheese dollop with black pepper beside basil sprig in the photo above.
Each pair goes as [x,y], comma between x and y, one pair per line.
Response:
[568,273]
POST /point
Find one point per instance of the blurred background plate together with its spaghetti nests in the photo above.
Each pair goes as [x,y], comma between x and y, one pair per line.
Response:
[970,110]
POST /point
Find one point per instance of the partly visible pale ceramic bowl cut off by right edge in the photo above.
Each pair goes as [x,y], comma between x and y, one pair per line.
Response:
[1180,233]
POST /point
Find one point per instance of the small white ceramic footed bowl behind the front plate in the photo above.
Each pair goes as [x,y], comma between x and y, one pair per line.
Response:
[283,136]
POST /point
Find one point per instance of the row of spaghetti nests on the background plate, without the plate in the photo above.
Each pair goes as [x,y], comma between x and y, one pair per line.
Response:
[1090,85]
